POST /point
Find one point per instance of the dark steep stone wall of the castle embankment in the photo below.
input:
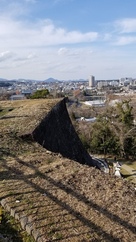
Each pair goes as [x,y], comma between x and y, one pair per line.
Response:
[57,134]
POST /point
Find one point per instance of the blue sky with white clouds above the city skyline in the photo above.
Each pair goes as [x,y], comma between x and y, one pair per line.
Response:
[67,39]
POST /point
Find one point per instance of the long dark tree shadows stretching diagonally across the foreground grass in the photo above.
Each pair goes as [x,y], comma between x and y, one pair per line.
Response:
[13,173]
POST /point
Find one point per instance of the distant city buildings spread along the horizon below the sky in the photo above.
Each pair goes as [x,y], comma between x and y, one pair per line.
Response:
[23,88]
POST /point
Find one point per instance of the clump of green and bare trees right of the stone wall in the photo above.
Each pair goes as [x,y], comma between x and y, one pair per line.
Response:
[113,132]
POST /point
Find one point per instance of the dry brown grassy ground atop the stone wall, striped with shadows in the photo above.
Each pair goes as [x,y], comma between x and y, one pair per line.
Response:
[62,199]
